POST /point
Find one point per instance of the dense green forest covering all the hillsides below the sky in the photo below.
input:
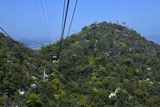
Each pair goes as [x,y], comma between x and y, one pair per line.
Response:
[104,65]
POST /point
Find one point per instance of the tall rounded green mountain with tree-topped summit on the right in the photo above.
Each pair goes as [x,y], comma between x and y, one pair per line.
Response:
[109,65]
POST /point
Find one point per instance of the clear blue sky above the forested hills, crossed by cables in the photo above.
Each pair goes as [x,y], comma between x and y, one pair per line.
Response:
[28,20]
